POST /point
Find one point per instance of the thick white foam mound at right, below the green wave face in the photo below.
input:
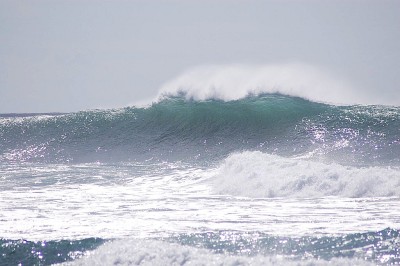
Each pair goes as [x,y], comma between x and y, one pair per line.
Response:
[257,174]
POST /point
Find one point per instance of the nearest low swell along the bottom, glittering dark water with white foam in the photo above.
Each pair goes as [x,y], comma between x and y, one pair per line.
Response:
[225,247]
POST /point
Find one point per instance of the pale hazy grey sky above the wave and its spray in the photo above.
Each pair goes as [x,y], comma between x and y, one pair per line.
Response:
[70,55]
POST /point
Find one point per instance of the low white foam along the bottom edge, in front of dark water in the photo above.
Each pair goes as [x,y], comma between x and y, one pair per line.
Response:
[153,252]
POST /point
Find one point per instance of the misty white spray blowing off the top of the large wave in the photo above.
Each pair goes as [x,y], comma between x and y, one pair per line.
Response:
[233,82]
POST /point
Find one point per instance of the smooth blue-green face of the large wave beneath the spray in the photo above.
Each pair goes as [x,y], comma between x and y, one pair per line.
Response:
[203,131]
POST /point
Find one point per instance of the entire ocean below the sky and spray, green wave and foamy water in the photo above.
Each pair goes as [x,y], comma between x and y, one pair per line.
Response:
[266,179]
